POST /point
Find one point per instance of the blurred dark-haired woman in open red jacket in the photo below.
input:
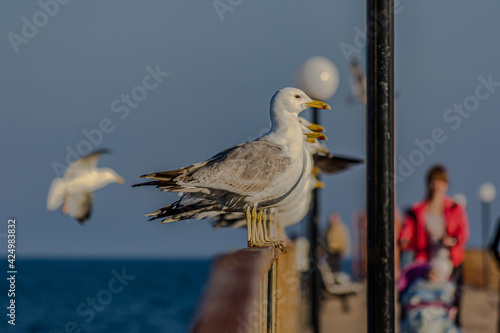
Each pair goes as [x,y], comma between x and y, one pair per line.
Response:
[437,223]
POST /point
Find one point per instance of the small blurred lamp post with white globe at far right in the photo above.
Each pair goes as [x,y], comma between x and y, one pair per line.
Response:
[487,193]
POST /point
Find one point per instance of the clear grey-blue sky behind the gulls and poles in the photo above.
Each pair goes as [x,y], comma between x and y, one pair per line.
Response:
[63,78]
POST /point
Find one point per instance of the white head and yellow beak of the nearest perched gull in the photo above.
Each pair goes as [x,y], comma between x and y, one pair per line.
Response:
[294,101]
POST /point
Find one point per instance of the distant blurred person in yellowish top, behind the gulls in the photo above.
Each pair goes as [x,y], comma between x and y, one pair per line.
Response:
[337,241]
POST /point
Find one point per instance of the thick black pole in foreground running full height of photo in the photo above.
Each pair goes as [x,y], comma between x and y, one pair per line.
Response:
[380,165]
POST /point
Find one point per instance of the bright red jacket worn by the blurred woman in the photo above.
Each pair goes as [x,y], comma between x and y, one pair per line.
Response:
[413,231]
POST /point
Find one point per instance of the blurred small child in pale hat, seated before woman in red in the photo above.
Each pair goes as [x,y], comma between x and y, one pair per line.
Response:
[428,301]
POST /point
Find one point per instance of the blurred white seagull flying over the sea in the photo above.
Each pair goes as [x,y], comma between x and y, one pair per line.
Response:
[74,190]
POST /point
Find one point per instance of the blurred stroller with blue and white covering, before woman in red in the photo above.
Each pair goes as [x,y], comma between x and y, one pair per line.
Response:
[426,299]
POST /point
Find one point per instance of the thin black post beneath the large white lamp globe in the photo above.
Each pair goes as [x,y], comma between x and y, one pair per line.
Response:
[315,281]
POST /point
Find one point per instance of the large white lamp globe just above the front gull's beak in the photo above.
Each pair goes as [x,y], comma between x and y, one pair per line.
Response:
[318,78]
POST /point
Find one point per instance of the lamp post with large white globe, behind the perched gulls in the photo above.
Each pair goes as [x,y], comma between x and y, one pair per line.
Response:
[319,79]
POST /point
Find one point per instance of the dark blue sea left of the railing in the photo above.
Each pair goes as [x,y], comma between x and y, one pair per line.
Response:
[104,296]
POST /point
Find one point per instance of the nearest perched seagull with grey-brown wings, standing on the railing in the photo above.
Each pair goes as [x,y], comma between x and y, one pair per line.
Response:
[250,177]
